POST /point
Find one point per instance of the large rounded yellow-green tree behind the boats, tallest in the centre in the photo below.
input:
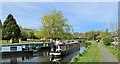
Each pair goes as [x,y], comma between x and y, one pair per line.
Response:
[54,25]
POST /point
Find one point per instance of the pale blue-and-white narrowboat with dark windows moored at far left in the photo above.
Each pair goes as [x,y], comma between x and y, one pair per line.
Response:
[14,49]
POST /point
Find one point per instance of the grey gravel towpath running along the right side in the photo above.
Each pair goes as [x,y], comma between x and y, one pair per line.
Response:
[107,56]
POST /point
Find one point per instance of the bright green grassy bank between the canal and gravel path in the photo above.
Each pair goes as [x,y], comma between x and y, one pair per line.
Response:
[91,54]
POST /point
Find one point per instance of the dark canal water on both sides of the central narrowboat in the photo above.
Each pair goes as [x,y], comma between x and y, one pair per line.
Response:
[41,57]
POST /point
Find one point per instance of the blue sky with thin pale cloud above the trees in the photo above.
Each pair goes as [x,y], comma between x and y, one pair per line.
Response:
[82,16]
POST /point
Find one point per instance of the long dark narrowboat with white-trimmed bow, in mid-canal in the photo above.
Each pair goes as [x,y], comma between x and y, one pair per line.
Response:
[64,48]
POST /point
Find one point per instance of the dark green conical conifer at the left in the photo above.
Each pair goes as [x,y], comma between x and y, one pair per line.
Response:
[10,28]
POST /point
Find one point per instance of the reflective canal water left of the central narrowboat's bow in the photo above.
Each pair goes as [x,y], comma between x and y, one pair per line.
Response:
[36,57]
